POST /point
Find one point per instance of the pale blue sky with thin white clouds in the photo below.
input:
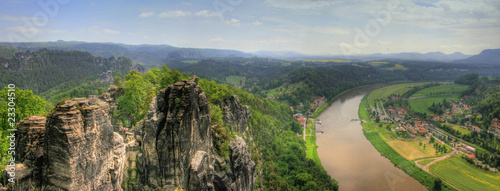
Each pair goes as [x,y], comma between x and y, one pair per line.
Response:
[308,26]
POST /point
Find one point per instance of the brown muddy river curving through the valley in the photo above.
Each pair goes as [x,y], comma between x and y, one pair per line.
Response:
[349,157]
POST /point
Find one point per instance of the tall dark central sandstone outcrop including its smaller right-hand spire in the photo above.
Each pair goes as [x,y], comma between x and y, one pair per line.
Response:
[176,145]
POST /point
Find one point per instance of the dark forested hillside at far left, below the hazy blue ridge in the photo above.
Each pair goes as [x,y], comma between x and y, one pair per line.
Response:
[50,72]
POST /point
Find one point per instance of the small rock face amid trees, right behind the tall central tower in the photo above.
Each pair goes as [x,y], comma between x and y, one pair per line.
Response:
[235,114]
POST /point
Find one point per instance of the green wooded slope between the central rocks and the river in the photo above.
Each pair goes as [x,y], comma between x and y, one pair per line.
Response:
[284,159]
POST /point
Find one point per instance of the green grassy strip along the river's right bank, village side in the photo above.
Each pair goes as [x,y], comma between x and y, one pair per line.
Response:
[371,133]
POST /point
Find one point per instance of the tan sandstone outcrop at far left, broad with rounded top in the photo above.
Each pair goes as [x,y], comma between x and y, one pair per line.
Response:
[76,149]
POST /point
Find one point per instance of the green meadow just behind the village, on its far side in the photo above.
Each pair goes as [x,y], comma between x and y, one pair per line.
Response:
[422,104]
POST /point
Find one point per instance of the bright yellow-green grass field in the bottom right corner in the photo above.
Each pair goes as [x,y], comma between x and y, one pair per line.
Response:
[465,176]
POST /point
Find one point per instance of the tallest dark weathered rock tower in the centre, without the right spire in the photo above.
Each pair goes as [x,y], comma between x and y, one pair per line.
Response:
[176,127]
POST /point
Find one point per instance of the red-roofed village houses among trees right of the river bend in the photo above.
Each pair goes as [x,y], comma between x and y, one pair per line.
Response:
[394,110]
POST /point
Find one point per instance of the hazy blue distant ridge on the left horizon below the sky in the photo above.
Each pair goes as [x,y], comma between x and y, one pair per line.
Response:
[149,55]
